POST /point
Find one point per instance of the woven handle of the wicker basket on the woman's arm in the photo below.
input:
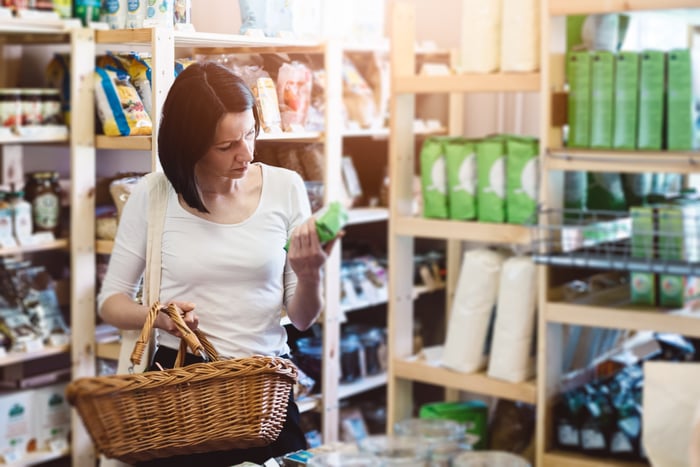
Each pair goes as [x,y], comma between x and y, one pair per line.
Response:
[195,340]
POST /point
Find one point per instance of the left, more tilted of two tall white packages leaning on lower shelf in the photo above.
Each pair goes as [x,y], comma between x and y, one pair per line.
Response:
[475,298]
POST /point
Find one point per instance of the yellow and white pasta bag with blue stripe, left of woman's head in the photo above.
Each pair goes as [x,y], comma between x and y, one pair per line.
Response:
[119,107]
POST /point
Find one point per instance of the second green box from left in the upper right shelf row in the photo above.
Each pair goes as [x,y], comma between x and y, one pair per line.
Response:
[602,78]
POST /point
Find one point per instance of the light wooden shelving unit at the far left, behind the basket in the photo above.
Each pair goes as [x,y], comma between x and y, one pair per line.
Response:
[79,137]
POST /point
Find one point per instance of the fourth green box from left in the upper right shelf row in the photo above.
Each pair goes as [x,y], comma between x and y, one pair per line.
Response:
[651,100]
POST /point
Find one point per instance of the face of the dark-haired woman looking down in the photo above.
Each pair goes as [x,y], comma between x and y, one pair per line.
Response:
[231,153]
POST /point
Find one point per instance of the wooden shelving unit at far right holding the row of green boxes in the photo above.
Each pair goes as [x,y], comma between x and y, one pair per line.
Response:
[619,314]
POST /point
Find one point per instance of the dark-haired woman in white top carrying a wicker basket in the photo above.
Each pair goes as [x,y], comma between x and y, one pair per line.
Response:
[226,224]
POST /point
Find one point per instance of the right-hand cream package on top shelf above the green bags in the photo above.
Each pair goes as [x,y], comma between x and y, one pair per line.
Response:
[520,32]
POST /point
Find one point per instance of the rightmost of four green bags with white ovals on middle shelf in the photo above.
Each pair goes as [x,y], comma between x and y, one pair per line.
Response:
[522,179]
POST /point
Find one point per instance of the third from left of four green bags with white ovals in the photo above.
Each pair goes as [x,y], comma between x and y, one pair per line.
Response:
[491,172]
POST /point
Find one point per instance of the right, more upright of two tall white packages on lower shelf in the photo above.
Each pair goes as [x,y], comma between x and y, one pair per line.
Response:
[511,357]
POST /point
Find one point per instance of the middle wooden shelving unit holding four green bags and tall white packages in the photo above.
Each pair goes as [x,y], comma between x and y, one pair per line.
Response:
[405,368]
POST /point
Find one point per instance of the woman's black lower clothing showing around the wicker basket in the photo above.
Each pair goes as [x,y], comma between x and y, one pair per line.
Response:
[290,439]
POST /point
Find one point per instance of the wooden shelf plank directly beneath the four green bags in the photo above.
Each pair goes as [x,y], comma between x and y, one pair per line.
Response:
[461,230]
